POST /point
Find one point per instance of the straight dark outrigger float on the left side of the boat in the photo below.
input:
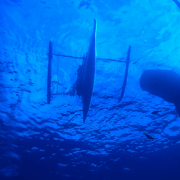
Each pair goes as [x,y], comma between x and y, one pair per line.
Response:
[50,56]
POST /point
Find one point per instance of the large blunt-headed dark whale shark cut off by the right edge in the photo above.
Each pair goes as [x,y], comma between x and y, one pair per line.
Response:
[162,83]
